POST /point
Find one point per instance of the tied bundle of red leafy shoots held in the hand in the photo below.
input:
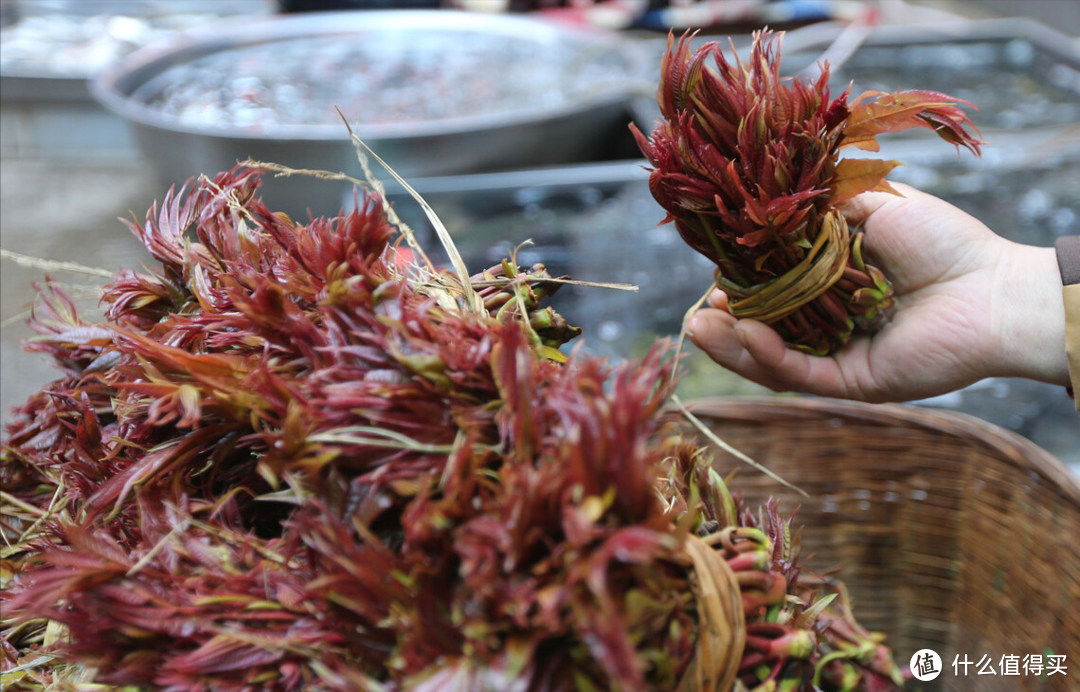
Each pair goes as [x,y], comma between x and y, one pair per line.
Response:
[747,165]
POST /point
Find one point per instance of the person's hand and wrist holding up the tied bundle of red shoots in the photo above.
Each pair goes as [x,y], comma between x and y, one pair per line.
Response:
[970,305]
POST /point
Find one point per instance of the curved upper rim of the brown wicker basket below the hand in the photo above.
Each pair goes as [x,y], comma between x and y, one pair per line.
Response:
[1020,452]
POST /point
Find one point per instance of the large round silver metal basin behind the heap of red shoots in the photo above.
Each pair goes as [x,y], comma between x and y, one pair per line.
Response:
[573,127]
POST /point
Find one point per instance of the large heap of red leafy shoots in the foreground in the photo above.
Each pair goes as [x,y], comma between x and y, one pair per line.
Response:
[294,459]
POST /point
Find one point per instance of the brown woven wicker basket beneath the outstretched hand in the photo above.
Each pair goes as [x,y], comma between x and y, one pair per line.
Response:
[954,535]
